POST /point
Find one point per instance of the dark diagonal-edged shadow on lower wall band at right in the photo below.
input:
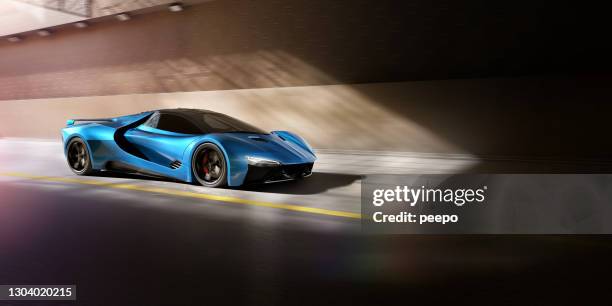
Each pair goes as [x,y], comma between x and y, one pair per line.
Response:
[555,117]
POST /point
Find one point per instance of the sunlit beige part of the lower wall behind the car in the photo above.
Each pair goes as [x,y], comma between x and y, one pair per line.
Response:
[335,116]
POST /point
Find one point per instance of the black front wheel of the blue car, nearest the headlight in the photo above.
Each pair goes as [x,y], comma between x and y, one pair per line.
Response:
[209,167]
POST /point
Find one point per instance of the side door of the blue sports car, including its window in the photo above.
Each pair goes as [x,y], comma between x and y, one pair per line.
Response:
[163,138]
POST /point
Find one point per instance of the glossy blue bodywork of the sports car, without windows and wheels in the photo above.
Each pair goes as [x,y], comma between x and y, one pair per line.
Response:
[126,141]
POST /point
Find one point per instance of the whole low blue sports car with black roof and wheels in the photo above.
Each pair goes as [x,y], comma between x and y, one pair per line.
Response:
[190,145]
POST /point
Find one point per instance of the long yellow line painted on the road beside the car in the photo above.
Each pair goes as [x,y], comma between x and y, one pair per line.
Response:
[189,194]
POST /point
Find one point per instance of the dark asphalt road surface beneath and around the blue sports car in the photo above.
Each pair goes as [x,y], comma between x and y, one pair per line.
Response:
[125,240]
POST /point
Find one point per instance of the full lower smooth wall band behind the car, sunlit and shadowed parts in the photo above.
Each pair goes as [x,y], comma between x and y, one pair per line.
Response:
[548,117]
